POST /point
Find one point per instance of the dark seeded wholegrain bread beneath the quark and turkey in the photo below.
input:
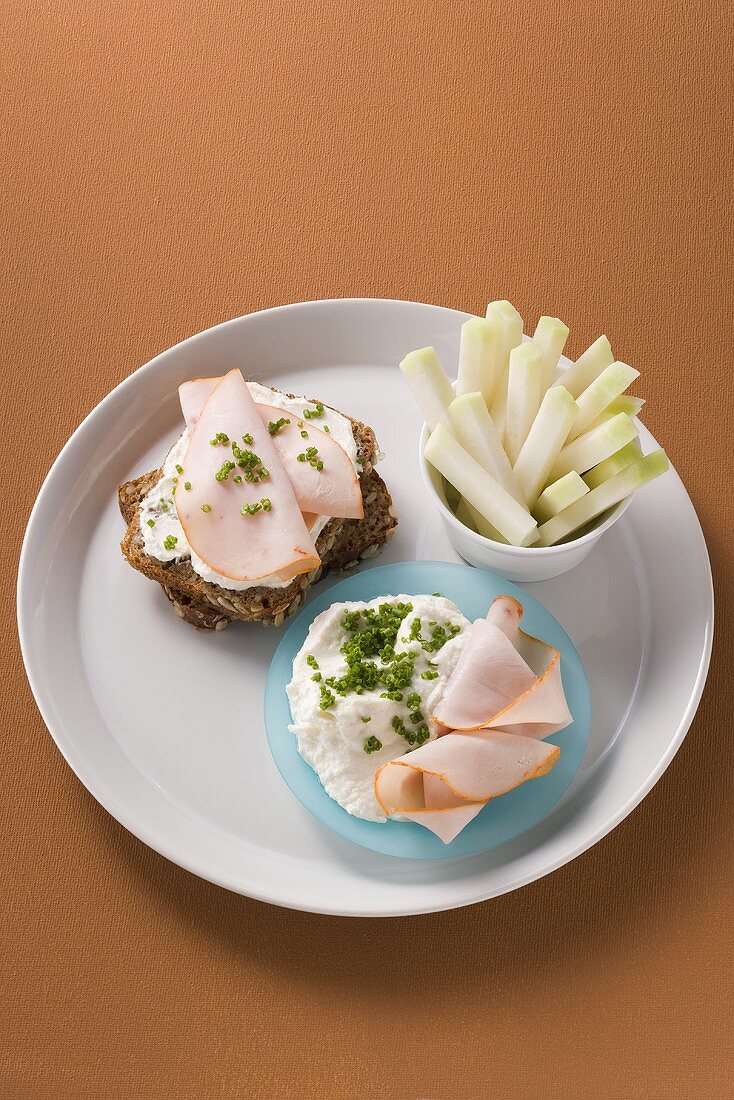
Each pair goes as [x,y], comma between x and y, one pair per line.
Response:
[341,545]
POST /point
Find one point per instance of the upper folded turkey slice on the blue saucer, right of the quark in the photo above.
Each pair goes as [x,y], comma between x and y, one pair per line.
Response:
[506,680]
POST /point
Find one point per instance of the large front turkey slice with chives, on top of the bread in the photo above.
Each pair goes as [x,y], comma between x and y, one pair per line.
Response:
[272,540]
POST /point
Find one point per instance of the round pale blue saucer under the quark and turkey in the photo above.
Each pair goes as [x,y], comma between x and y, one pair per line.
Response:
[473,591]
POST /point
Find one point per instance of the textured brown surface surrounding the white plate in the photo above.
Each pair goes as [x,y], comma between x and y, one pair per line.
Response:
[170,166]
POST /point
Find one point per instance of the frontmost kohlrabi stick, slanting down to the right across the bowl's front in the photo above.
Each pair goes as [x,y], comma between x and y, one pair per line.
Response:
[480,489]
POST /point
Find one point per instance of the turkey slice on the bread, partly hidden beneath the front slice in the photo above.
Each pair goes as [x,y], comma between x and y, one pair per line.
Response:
[334,490]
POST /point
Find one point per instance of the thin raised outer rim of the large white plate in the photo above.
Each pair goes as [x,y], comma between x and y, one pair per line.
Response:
[130,821]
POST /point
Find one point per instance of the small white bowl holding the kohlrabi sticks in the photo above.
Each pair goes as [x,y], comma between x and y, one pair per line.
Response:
[516,564]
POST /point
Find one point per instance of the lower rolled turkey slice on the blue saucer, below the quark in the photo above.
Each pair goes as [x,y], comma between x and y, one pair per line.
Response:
[445,784]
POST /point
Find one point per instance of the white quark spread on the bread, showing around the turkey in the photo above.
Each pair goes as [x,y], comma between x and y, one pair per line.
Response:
[163,536]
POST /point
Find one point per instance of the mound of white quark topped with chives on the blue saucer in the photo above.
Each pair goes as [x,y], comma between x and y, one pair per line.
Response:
[365,688]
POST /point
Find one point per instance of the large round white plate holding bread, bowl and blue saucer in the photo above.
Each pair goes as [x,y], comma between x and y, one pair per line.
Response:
[163,724]
